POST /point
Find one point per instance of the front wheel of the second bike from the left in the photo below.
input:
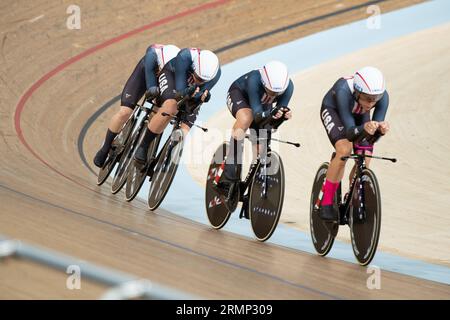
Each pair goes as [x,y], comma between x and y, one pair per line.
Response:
[165,169]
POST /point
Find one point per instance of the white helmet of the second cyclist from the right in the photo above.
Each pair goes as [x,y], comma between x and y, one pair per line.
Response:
[275,77]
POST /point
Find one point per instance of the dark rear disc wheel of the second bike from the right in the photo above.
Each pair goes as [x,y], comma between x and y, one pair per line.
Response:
[216,209]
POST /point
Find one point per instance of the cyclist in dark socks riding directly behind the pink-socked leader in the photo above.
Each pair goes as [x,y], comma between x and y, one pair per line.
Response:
[250,100]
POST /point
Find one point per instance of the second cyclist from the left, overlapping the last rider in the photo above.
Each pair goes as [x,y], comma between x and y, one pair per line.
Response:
[191,67]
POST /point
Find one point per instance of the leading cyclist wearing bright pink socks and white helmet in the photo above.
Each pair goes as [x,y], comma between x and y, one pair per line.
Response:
[345,114]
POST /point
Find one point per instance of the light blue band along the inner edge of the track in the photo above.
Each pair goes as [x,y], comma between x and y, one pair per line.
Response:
[187,198]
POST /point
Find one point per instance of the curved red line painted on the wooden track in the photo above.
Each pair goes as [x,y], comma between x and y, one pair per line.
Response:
[21,105]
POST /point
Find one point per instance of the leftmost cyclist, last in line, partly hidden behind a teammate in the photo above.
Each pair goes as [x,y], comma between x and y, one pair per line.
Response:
[143,78]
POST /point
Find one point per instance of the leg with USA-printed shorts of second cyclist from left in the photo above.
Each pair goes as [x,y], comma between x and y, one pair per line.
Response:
[158,122]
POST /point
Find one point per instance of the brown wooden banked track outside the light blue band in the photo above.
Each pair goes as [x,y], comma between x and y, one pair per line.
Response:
[49,197]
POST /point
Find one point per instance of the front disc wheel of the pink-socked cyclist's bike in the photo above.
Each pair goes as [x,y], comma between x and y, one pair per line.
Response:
[365,224]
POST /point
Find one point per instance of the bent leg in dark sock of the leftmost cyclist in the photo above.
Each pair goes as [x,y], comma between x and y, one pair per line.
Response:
[134,89]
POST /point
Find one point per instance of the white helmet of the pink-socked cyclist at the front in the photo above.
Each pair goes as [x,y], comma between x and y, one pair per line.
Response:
[370,82]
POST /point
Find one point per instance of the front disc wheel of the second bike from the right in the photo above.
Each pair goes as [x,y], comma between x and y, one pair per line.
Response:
[265,210]
